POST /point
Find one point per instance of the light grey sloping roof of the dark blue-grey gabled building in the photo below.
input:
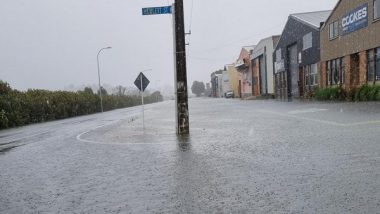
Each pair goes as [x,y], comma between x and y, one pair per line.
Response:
[314,19]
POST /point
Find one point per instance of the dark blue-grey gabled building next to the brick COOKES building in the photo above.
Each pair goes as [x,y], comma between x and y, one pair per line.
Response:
[297,55]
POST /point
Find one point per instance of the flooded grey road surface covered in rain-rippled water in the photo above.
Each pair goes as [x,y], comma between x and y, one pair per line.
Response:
[241,157]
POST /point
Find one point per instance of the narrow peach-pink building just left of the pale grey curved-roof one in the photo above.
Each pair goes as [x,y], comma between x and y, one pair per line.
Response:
[244,67]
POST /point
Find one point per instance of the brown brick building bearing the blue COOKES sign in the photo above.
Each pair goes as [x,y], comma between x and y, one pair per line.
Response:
[350,45]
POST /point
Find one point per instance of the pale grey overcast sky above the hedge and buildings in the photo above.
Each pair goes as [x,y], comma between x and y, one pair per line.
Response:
[50,44]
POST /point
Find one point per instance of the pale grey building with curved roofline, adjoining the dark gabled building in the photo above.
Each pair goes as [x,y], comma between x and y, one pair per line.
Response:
[262,66]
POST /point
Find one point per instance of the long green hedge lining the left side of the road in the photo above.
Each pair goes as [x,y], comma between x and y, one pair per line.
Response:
[35,106]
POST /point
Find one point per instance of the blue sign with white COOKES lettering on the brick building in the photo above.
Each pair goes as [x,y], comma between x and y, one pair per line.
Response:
[355,19]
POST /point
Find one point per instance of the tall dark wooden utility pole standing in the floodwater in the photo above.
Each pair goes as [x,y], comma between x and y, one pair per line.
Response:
[182,107]
